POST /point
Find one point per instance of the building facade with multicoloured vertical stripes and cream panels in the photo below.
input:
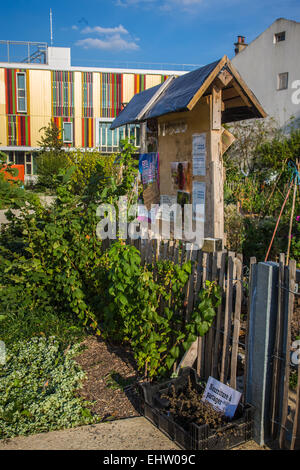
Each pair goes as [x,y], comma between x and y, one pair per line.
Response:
[81,101]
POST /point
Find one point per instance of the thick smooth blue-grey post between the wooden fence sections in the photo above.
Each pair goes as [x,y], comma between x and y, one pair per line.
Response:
[261,339]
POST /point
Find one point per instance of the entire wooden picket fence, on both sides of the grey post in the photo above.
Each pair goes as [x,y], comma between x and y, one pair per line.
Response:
[222,352]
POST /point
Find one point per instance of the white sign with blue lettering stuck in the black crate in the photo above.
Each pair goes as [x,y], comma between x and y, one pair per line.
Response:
[221,397]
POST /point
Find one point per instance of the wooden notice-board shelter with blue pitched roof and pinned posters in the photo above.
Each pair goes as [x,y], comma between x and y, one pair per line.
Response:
[182,120]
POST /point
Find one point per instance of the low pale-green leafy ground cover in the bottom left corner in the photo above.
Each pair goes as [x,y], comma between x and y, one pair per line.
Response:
[37,389]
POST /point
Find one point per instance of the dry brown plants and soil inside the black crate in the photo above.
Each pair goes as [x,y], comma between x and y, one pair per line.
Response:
[186,407]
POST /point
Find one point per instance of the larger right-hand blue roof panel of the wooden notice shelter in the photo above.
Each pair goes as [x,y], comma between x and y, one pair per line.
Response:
[180,92]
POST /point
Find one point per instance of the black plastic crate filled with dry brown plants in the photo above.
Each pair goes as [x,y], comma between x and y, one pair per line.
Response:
[175,407]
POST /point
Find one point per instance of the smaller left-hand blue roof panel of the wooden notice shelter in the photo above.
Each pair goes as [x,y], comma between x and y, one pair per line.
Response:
[129,114]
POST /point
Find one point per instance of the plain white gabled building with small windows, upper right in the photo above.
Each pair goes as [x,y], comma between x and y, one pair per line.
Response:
[271,67]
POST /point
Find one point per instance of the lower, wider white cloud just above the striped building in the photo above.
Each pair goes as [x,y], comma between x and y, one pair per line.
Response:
[111,43]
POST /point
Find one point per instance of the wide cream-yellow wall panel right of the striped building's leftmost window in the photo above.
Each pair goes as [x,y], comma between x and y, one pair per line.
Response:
[40,102]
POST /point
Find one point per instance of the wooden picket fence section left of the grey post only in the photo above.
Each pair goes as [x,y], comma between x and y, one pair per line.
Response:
[221,353]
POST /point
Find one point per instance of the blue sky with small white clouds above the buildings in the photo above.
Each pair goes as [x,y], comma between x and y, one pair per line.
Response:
[121,32]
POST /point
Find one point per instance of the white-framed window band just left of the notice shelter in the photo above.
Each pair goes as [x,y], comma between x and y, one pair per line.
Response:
[109,140]
